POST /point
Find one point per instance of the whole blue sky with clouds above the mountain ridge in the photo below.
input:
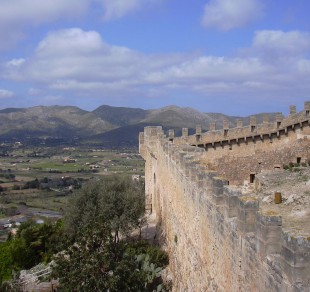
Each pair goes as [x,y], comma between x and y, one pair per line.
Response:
[237,57]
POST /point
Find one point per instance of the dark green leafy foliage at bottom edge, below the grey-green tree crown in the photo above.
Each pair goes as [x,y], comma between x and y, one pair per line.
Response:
[97,263]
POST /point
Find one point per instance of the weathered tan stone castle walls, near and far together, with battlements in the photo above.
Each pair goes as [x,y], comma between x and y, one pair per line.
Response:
[217,238]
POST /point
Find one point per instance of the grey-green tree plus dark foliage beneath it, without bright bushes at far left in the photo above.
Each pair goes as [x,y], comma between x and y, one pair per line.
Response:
[103,256]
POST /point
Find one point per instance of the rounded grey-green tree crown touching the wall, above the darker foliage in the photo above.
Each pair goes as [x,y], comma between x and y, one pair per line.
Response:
[116,200]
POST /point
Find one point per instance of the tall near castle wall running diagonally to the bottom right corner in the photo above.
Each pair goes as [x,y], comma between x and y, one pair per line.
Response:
[218,239]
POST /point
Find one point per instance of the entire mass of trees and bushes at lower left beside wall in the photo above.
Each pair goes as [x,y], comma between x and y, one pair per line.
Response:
[100,254]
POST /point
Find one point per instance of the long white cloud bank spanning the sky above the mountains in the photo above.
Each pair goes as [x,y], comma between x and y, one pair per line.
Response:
[81,62]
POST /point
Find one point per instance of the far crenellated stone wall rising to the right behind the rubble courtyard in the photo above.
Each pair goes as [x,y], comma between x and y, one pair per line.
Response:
[237,153]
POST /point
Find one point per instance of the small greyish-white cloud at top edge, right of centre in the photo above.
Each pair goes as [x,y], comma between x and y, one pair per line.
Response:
[229,14]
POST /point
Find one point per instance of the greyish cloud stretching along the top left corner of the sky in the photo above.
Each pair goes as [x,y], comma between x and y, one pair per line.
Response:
[18,15]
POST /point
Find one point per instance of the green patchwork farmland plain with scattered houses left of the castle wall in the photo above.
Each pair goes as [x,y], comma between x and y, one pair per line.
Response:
[37,183]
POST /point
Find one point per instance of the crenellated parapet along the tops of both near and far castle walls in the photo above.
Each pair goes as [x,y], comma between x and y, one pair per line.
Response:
[205,189]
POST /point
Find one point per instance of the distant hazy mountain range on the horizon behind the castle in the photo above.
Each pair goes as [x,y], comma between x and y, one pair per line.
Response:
[106,126]
